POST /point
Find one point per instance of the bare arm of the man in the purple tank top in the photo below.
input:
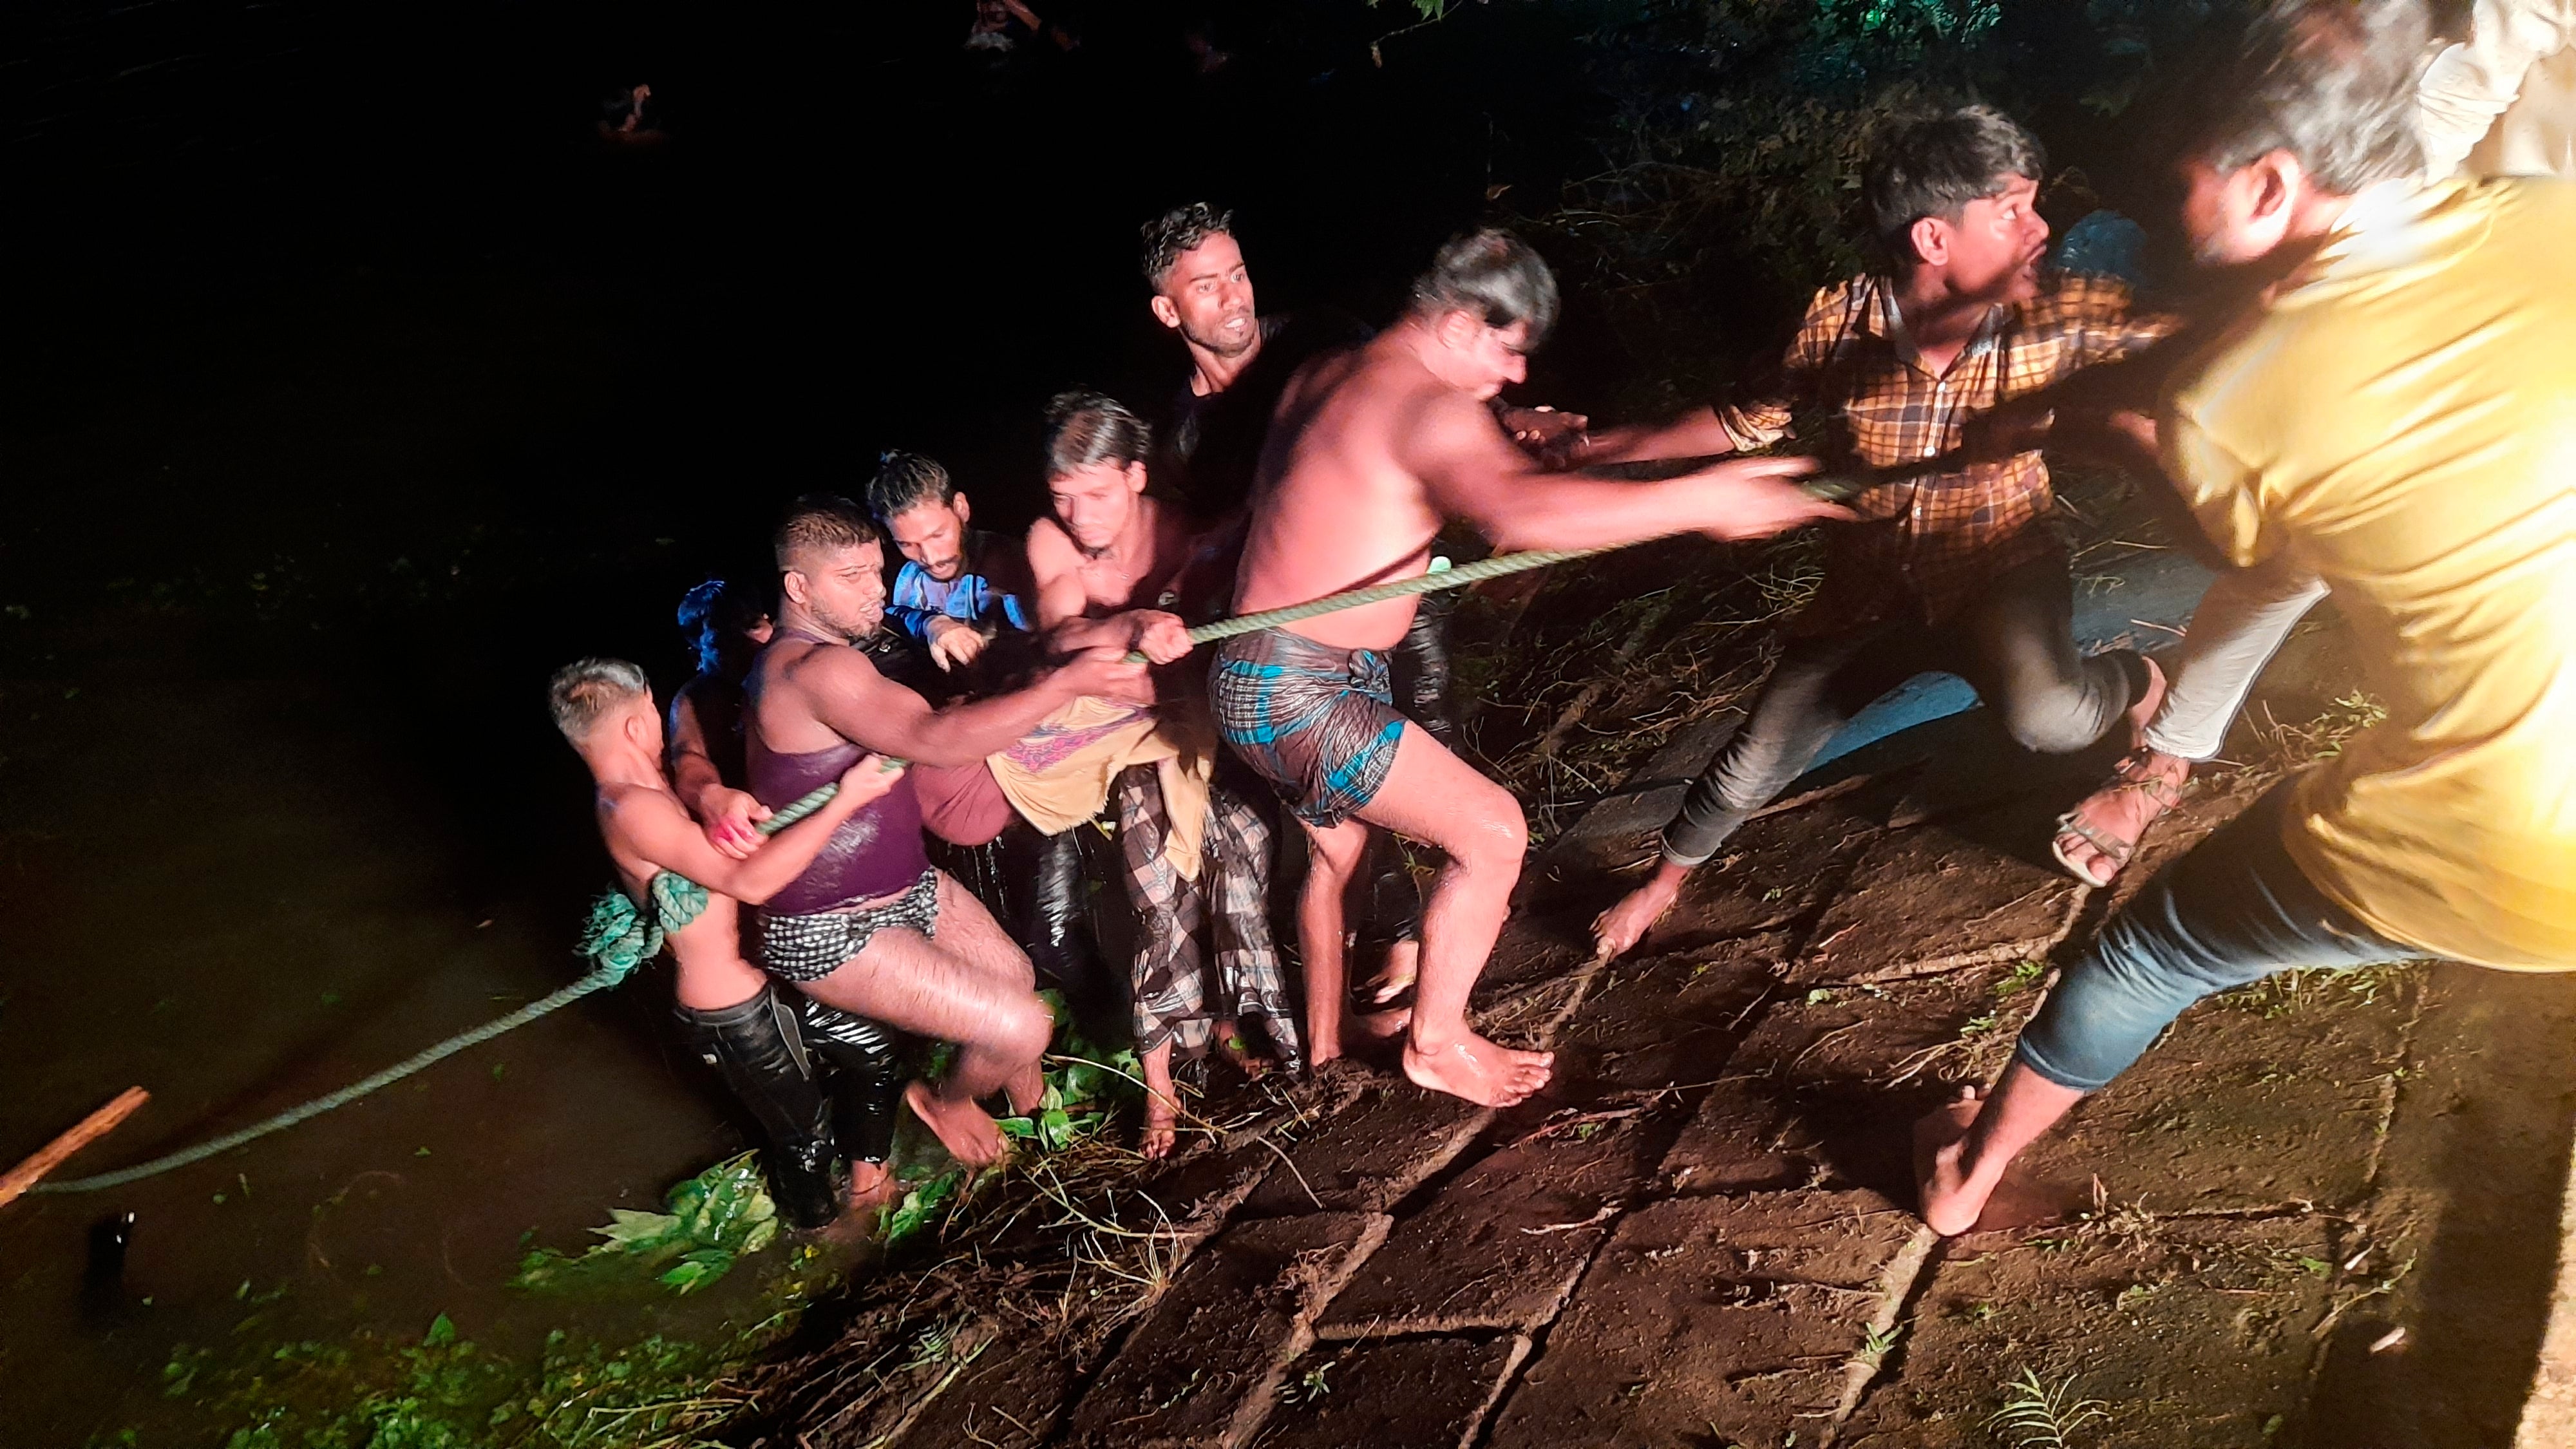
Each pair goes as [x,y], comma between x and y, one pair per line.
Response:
[867,708]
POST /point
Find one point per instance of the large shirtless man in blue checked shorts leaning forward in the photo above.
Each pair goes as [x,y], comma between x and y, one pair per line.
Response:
[1369,455]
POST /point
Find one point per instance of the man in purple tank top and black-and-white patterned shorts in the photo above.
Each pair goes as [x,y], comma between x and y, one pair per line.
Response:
[872,927]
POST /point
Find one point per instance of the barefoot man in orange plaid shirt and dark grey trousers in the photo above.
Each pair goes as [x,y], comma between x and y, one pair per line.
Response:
[1946,571]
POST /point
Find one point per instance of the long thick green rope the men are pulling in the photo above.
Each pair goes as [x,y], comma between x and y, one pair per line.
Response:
[630,942]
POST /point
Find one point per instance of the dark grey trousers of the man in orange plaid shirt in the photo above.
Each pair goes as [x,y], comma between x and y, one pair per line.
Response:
[2013,643]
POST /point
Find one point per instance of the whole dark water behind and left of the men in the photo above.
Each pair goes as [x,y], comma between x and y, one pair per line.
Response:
[354,385]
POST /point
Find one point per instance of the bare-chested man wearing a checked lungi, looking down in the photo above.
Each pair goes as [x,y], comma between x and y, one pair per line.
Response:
[1117,569]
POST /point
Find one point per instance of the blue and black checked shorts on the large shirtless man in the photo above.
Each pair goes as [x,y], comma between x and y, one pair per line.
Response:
[1312,718]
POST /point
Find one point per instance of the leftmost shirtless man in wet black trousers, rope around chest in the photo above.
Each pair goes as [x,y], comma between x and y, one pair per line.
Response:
[604,708]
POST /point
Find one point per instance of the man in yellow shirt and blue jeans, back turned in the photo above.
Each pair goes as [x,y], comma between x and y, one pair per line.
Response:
[2400,419]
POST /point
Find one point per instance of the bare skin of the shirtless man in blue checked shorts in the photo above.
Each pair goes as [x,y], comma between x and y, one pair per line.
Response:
[1369,458]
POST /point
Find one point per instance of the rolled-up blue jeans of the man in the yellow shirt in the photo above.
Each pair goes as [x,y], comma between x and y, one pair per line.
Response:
[2227,914]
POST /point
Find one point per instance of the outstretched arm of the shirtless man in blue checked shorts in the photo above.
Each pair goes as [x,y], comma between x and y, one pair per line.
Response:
[1475,473]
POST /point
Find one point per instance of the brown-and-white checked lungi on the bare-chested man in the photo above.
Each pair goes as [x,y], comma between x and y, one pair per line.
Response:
[1179,999]
